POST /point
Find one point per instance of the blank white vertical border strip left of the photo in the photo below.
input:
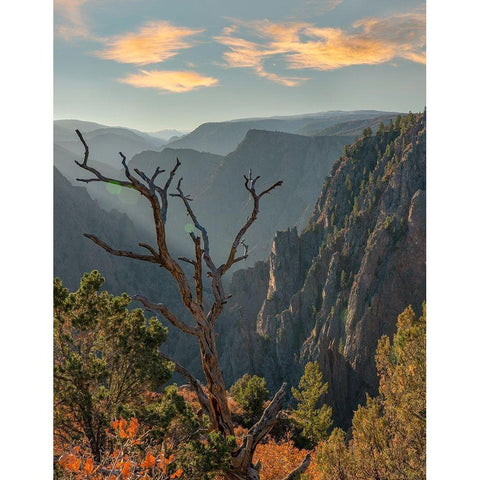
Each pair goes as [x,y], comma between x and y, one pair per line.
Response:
[27,238]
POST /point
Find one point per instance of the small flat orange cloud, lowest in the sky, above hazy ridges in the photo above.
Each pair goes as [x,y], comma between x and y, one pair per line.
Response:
[169,81]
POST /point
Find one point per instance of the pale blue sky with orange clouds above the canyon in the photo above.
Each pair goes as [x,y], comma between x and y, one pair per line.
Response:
[154,64]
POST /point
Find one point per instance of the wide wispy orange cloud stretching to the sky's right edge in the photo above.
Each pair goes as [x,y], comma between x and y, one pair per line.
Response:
[302,45]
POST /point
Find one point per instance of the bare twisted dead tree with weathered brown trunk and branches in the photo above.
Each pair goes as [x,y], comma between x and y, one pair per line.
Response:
[212,398]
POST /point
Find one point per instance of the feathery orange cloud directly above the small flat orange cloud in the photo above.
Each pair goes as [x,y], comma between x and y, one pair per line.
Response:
[153,43]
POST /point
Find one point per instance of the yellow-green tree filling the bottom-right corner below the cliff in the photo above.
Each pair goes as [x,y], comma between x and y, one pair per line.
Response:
[388,433]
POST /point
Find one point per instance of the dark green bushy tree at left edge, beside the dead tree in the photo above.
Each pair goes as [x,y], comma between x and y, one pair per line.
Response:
[105,359]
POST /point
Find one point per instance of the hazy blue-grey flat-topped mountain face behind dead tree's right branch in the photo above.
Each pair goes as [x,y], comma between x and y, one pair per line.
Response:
[302,162]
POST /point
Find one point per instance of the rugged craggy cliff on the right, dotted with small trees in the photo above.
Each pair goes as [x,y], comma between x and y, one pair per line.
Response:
[334,290]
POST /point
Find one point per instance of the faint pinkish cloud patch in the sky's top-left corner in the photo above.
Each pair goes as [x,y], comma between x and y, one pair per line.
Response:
[70,21]
